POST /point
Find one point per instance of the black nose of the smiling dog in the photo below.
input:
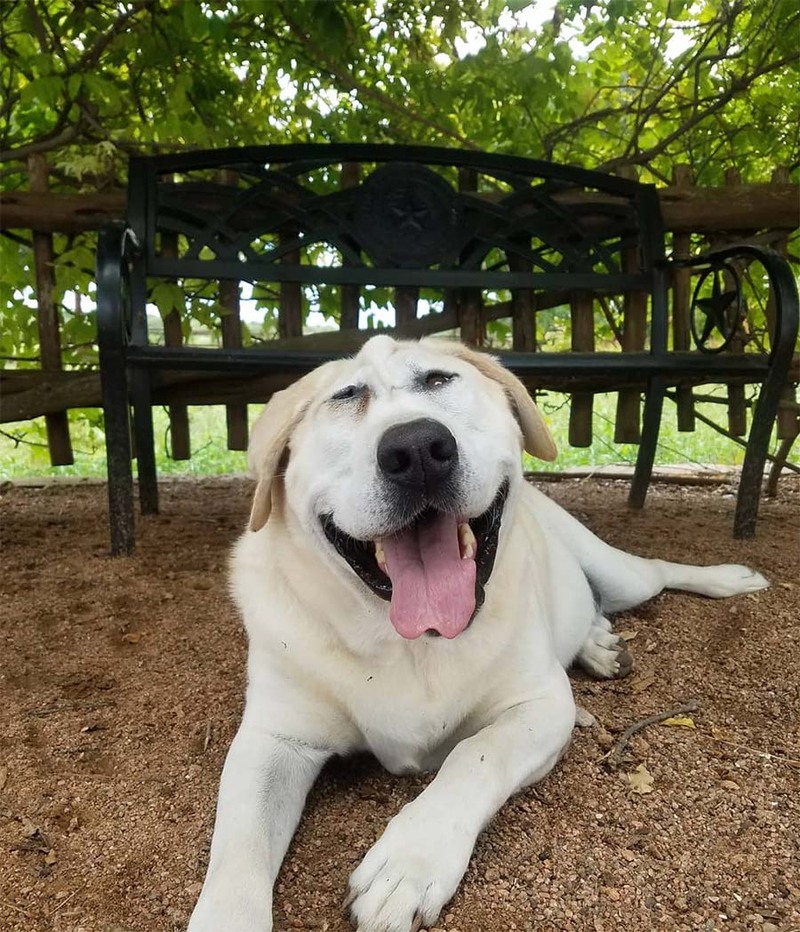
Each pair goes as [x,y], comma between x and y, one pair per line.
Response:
[419,454]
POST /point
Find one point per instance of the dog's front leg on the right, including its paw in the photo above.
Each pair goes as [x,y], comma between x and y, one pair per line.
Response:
[414,868]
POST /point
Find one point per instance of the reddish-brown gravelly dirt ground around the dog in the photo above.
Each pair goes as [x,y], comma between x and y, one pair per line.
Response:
[121,687]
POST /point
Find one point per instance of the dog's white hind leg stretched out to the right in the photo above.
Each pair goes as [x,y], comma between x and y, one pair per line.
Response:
[622,580]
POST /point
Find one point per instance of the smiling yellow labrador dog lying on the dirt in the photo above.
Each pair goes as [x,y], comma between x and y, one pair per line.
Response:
[407,593]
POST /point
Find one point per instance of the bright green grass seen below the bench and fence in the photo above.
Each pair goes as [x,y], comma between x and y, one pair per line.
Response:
[23,447]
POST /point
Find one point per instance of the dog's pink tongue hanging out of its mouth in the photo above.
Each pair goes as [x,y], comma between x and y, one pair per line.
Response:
[432,586]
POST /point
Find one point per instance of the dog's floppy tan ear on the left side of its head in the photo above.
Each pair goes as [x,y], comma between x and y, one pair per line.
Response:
[269,441]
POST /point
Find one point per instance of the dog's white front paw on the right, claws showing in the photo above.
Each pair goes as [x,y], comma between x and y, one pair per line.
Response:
[408,875]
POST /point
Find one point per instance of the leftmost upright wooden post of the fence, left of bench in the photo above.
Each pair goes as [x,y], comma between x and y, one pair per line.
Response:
[57,424]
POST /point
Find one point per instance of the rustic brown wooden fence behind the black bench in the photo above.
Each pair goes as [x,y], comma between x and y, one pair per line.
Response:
[695,217]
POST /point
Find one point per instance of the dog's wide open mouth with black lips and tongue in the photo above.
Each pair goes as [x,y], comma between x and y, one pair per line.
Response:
[433,570]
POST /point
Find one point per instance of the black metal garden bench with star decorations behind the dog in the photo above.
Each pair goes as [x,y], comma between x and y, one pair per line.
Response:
[476,235]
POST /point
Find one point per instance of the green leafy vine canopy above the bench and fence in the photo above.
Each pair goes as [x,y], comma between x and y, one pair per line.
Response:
[608,83]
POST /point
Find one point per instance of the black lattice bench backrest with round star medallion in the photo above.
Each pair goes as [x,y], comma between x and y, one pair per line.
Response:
[403,217]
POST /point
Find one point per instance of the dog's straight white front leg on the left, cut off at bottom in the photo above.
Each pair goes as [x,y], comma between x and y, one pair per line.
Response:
[264,785]
